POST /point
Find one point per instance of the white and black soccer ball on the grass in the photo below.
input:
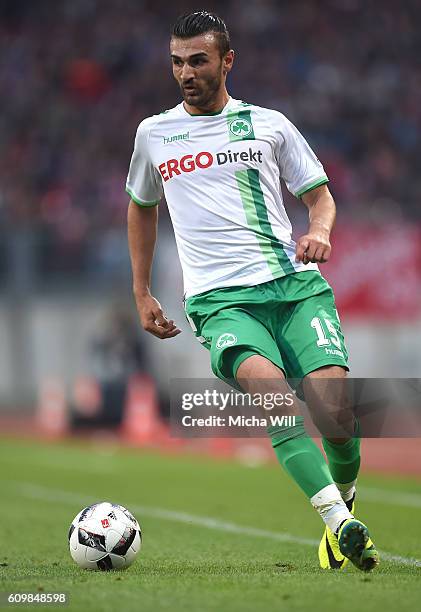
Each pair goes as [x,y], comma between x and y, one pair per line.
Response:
[104,536]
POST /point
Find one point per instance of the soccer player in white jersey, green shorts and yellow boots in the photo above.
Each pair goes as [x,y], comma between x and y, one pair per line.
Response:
[253,296]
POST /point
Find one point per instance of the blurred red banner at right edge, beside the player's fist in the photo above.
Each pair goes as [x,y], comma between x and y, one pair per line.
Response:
[376,271]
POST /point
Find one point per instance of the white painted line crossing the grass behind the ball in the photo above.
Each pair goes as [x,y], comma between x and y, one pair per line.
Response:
[54,495]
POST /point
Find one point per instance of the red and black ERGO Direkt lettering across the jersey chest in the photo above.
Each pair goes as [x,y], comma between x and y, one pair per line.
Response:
[204,159]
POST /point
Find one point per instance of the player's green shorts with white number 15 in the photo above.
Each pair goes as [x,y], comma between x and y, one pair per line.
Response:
[292,321]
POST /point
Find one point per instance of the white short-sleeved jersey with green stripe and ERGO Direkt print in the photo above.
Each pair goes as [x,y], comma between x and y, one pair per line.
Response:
[221,176]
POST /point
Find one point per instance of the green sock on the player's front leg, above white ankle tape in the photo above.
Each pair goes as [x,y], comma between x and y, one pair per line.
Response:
[300,457]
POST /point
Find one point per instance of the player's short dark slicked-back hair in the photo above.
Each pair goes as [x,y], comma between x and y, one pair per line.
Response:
[201,22]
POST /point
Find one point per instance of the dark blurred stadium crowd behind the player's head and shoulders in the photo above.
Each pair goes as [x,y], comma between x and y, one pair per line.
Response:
[77,77]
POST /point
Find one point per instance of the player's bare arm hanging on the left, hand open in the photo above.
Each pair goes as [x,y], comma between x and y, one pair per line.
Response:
[142,223]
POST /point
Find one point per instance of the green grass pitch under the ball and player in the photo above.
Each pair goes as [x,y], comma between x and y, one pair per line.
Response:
[217,535]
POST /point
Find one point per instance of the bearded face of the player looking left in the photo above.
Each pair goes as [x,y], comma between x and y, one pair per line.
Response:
[199,69]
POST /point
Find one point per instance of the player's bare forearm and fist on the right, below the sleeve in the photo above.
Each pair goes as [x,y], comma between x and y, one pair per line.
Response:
[315,245]
